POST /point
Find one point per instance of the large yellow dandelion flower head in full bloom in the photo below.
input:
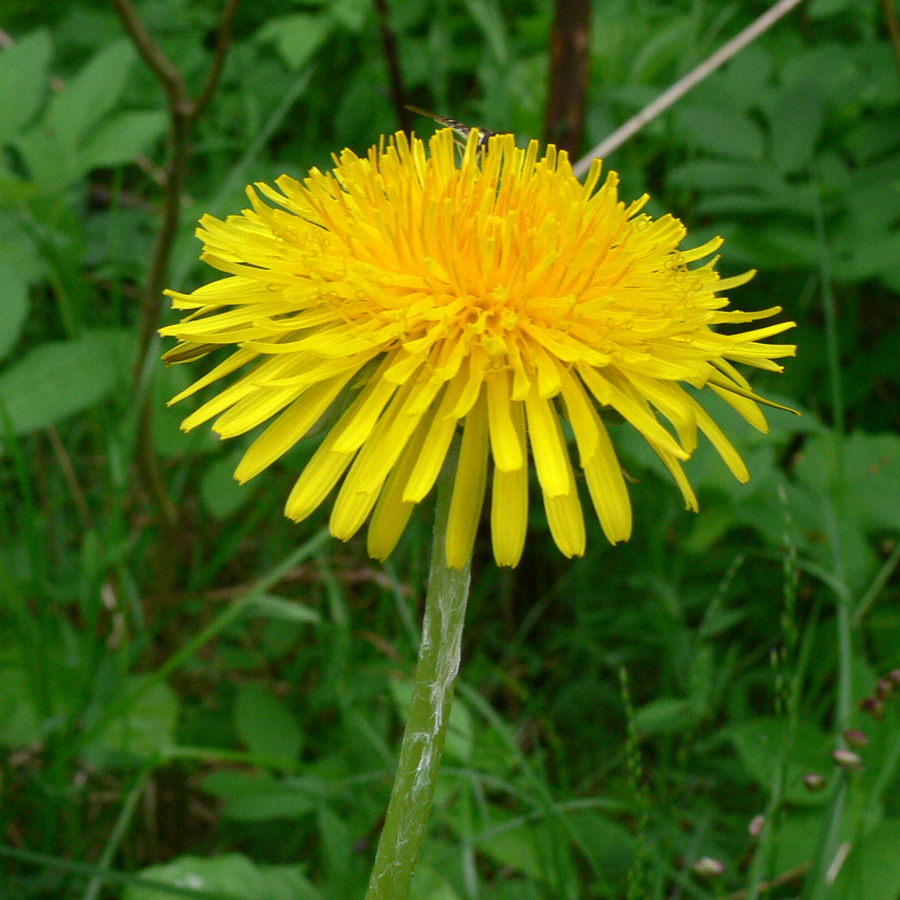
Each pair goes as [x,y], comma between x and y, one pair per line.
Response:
[495,293]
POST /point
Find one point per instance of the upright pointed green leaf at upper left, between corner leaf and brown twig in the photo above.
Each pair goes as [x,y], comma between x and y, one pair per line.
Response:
[90,95]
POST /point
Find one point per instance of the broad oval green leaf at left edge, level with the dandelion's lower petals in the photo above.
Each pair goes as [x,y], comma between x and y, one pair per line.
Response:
[61,378]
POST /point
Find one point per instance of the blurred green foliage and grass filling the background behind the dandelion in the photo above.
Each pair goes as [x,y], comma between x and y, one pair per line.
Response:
[212,703]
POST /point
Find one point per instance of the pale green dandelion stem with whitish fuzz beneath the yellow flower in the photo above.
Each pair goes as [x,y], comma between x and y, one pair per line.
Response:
[429,713]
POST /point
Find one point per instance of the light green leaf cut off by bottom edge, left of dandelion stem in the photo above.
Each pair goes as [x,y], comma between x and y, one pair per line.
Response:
[232,875]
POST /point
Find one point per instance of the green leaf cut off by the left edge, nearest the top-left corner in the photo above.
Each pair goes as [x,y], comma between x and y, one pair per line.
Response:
[23,81]
